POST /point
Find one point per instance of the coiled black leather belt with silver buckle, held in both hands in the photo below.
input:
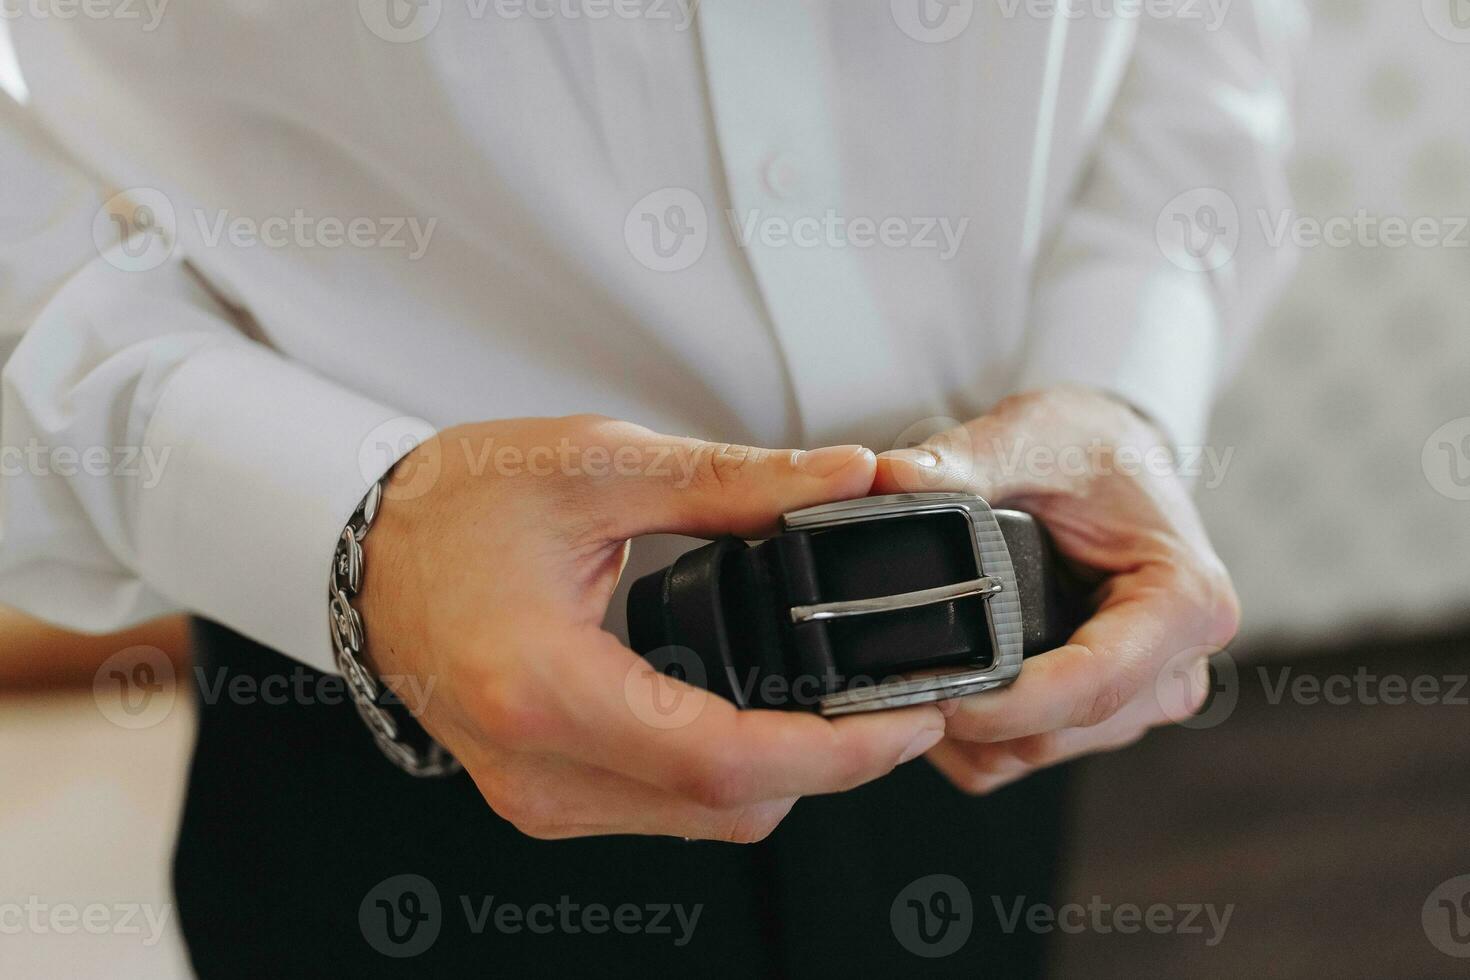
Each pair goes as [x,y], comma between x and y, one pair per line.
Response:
[861,606]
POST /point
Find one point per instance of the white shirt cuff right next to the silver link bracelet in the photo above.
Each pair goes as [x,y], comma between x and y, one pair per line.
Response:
[264,464]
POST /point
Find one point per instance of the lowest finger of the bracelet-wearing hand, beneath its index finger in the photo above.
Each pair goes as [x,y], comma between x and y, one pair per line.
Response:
[555,799]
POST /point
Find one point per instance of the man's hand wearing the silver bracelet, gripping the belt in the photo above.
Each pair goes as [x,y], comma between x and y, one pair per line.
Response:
[489,574]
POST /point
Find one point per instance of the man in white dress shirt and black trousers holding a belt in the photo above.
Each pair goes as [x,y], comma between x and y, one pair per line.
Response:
[426,242]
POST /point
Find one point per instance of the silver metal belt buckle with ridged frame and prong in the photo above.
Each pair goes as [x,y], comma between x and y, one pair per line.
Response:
[994,584]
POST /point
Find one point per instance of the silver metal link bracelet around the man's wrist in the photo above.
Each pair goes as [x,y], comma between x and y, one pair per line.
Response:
[349,641]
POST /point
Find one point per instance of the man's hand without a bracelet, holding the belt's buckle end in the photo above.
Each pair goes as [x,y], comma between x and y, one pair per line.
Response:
[1096,474]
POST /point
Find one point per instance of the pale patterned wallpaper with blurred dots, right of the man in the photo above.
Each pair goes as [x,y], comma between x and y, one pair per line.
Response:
[1347,502]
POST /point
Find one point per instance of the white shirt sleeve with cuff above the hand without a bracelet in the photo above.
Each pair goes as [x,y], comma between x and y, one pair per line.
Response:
[1161,265]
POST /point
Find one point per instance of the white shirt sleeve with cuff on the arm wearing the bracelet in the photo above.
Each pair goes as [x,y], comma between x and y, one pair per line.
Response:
[154,459]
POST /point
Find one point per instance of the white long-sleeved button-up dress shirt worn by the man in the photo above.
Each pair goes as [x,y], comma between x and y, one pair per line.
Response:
[780,223]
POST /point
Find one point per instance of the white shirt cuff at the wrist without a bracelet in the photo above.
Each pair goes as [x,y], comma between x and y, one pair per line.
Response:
[1152,337]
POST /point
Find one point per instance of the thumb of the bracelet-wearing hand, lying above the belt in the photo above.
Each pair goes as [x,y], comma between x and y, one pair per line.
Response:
[717,489]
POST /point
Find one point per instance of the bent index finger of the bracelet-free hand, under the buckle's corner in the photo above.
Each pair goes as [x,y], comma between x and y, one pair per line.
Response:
[1084,684]
